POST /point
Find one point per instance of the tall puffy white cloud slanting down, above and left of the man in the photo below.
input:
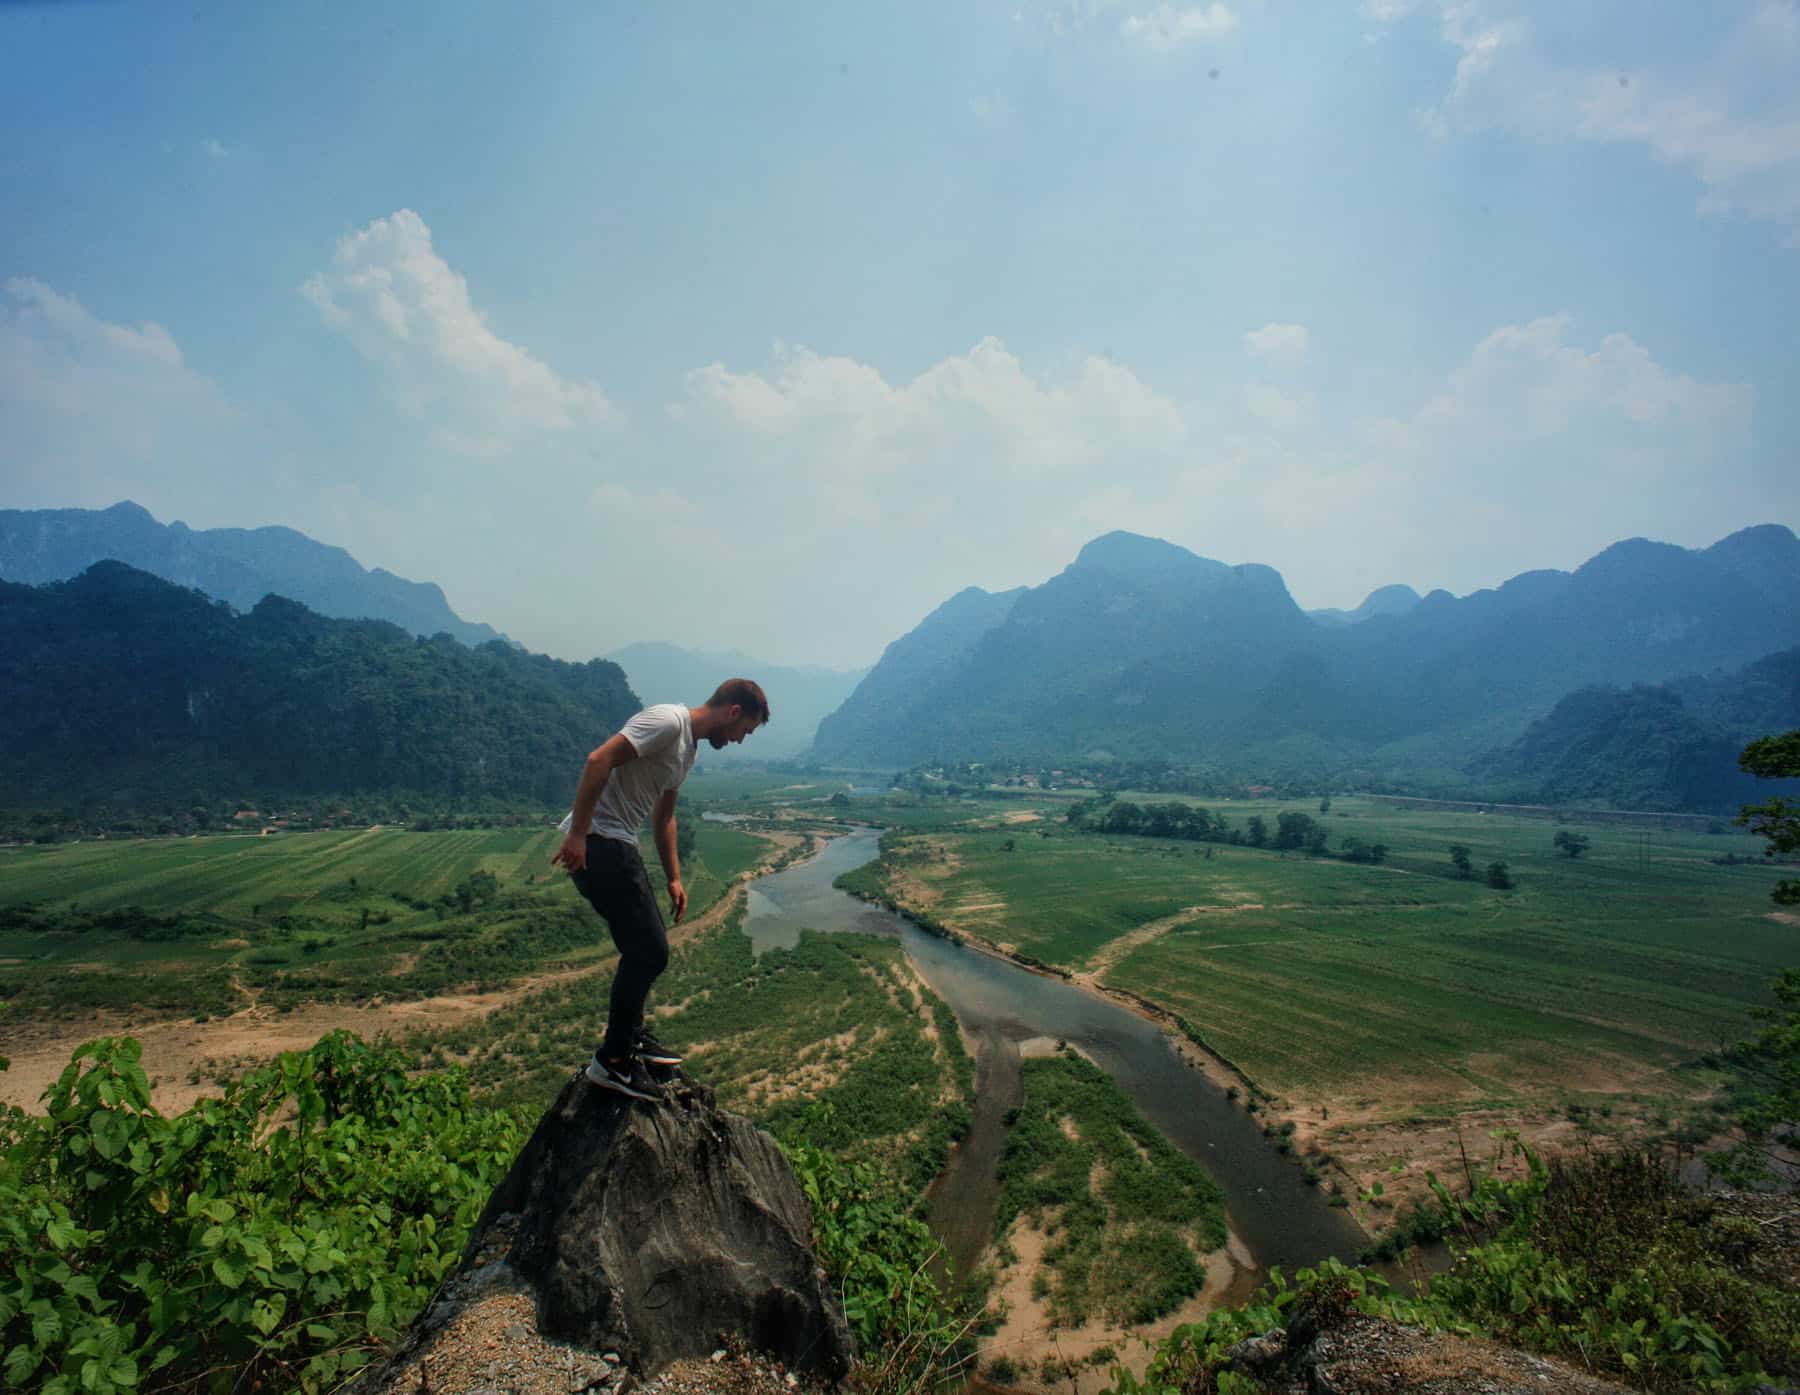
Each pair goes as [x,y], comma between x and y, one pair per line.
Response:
[406,309]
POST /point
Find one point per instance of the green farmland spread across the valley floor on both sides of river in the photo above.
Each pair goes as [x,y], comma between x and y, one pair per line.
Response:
[1363,998]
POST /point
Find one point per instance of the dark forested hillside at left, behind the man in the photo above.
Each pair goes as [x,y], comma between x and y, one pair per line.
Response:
[136,694]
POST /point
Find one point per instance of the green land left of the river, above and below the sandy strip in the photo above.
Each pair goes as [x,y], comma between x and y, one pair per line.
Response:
[201,926]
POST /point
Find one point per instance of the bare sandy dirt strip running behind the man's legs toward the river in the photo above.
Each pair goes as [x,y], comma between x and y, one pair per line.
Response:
[181,1056]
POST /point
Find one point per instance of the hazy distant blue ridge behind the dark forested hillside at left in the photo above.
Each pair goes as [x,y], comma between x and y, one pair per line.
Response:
[238,566]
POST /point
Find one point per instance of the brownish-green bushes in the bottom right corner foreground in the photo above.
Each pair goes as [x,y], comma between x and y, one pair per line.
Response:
[1605,1261]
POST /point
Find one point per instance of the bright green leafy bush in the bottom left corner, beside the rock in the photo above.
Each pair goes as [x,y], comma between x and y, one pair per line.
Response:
[280,1234]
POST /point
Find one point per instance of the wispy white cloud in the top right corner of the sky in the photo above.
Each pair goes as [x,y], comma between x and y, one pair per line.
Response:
[1713,118]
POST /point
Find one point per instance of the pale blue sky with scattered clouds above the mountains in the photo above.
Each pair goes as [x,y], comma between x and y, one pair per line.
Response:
[771,327]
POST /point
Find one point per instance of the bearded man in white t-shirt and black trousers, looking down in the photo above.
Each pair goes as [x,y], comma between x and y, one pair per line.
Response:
[636,773]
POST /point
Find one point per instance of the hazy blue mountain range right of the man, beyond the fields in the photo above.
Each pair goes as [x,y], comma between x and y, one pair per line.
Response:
[1142,649]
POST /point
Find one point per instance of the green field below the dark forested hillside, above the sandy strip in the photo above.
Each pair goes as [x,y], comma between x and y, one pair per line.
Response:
[201,926]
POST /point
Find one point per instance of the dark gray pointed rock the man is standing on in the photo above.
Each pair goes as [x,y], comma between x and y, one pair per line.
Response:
[651,1228]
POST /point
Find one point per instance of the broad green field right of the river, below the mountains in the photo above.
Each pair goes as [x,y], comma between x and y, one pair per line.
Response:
[1317,975]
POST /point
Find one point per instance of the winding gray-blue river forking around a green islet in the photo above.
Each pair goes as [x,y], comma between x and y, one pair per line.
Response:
[1003,1005]
